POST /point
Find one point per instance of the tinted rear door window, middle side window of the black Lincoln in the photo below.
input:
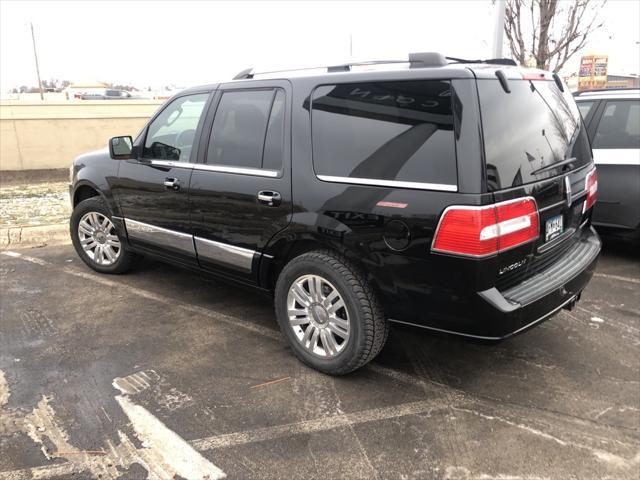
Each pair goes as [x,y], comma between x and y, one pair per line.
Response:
[239,135]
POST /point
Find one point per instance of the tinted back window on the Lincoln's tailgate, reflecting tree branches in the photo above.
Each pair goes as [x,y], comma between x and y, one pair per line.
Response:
[532,128]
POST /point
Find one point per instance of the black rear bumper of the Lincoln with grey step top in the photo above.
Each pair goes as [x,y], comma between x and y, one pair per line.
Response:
[496,315]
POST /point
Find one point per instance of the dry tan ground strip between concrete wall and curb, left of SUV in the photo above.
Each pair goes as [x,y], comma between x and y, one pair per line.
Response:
[35,204]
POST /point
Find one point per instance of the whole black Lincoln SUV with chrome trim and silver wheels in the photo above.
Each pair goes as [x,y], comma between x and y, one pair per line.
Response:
[441,193]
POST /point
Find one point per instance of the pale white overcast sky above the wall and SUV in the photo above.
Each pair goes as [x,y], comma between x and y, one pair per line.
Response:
[186,43]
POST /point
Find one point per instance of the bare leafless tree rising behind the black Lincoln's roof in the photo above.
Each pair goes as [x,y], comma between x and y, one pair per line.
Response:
[549,31]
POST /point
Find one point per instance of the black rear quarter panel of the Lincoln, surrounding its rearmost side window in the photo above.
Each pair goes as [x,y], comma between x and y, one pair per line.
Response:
[349,219]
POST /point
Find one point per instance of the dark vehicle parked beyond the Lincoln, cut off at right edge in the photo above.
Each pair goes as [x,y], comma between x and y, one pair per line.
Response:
[613,123]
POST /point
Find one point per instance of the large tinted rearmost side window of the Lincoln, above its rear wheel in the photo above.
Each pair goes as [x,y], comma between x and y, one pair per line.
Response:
[388,131]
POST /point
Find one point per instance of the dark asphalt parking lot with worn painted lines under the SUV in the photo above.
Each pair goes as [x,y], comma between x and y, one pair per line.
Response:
[163,373]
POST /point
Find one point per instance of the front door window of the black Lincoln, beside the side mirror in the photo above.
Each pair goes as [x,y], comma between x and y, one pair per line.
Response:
[172,134]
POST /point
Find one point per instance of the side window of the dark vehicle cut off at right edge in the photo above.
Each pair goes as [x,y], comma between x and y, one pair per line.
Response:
[619,126]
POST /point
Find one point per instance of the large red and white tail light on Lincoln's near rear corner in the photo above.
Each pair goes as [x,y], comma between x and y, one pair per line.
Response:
[483,231]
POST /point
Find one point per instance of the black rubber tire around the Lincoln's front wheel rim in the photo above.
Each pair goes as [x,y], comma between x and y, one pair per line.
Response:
[125,258]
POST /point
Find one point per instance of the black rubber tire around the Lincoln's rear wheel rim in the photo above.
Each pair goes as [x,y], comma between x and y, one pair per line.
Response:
[368,327]
